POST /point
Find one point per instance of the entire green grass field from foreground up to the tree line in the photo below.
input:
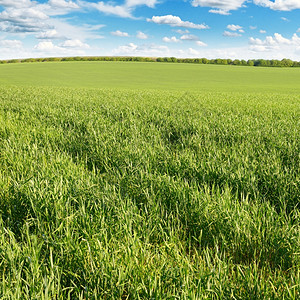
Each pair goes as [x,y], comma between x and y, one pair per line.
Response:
[149,181]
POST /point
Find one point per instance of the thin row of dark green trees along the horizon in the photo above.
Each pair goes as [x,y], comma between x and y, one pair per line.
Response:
[251,62]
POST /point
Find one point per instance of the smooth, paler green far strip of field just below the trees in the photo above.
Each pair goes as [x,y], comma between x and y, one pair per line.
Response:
[160,76]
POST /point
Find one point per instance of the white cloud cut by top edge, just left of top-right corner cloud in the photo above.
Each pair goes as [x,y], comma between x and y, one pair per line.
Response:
[221,6]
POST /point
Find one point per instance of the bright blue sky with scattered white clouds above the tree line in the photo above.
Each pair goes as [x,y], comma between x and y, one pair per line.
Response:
[181,28]
